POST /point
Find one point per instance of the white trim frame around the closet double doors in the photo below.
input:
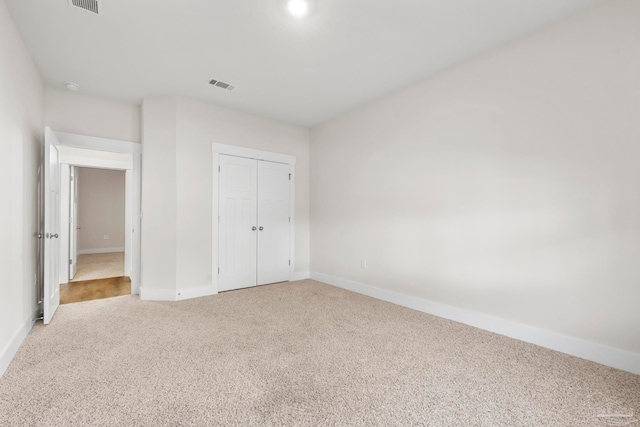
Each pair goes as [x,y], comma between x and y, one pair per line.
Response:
[250,153]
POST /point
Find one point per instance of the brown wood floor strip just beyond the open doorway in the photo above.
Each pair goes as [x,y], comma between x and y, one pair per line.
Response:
[94,289]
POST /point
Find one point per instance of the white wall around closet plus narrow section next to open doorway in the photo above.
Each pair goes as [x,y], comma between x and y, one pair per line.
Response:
[186,166]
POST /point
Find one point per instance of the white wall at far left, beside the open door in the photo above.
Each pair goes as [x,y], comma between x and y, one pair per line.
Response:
[21,134]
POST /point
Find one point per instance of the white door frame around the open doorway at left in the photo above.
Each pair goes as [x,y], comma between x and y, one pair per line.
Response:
[103,153]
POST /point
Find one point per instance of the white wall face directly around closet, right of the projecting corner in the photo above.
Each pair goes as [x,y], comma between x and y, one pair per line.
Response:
[200,124]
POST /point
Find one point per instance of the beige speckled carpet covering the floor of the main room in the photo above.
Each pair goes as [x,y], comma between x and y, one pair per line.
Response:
[295,354]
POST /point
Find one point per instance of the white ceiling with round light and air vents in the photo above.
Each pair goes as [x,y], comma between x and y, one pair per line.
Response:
[301,71]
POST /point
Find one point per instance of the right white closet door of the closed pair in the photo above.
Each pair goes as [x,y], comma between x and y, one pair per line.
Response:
[273,222]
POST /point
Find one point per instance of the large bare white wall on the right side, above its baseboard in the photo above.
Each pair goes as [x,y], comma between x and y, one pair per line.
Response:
[507,185]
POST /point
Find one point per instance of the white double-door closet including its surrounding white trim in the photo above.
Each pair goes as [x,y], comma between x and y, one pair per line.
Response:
[253,217]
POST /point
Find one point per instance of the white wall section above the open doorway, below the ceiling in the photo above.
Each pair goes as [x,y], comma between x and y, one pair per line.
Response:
[76,112]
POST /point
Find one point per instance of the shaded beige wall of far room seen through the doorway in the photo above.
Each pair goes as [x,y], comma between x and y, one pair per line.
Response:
[101,203]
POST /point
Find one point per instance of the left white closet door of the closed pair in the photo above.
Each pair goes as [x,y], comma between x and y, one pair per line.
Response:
[237,211]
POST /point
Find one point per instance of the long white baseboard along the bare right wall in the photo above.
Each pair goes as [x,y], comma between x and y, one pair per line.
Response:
[599,353]
